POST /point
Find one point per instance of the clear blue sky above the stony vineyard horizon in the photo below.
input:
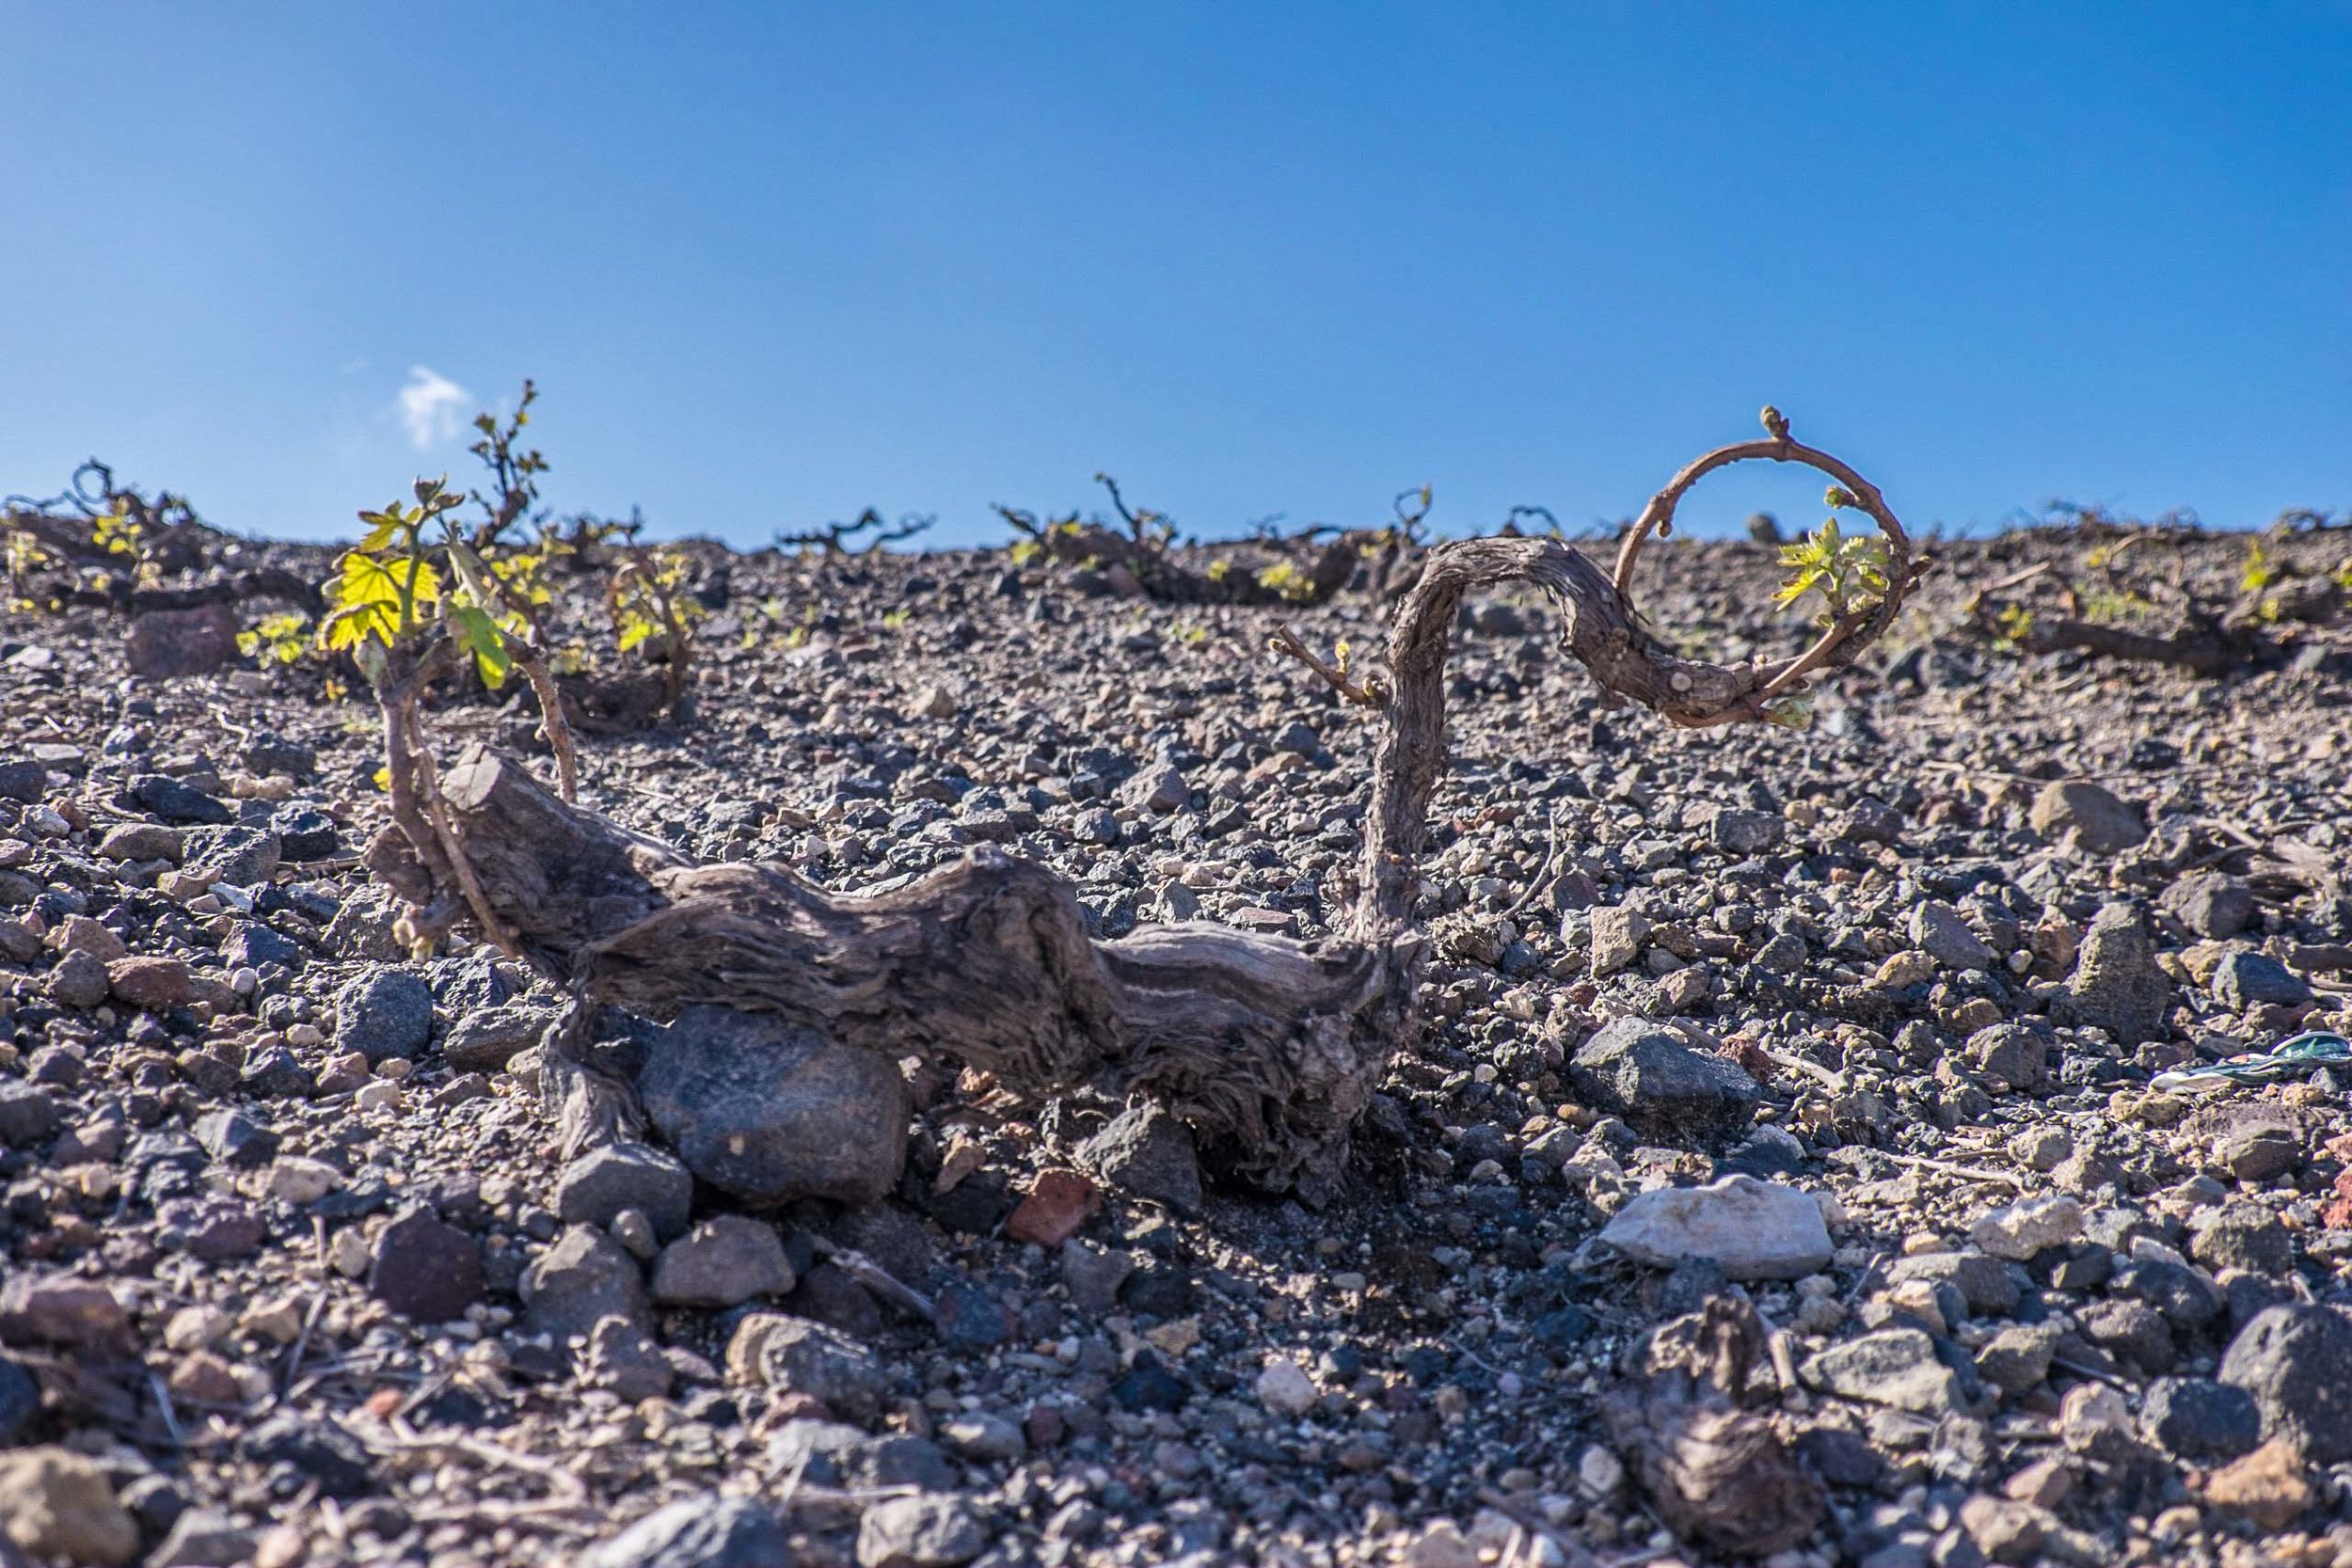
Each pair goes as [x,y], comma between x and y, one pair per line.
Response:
[773,264]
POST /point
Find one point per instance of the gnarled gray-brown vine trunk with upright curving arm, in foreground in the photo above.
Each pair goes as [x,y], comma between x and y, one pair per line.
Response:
[1269,1050]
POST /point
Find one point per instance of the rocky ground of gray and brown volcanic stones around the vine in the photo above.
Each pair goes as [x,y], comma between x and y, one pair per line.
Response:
[1833,1040]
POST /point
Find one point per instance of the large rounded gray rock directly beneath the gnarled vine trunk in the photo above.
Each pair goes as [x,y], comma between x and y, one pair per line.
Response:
[770,1113]
